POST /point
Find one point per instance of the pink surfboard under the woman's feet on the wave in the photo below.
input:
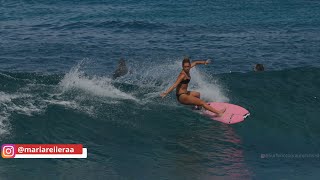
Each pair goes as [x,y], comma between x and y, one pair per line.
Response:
[233,114]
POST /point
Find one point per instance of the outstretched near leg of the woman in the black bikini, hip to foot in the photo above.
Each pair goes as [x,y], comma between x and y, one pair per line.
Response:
[191,100]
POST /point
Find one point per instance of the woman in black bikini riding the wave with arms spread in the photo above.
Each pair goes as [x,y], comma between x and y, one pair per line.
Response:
[189,97]
